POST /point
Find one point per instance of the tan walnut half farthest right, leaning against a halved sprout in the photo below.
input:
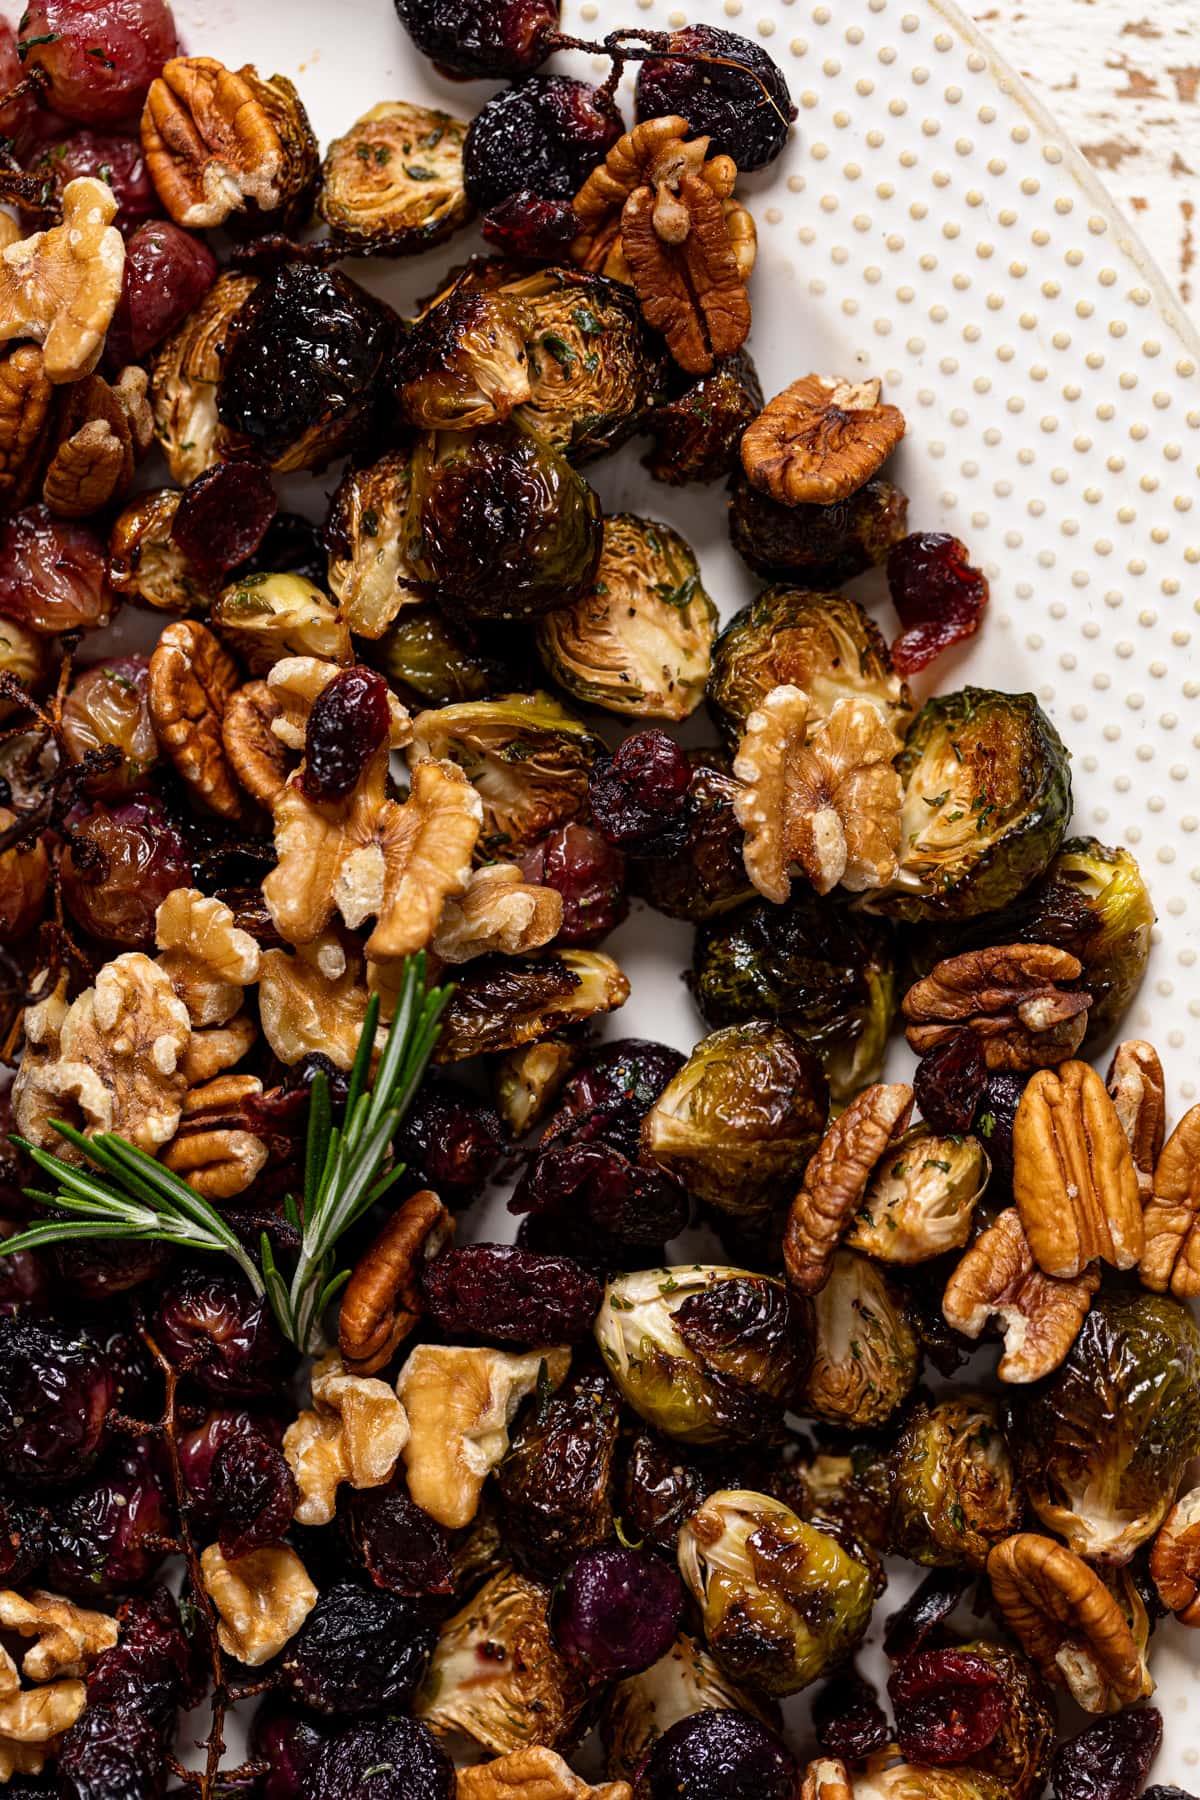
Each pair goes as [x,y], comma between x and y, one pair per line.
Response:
[828,805]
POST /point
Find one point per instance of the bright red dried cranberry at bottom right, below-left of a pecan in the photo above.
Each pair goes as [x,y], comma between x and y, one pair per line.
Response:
[949,1705]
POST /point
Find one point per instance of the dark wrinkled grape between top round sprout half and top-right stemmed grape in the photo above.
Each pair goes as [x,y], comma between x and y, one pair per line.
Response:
[546,134]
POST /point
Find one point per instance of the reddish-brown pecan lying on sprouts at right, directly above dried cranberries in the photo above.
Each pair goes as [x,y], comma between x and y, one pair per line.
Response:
[1012,998]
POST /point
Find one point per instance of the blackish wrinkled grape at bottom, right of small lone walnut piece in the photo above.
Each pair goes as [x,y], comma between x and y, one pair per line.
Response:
[359,1651]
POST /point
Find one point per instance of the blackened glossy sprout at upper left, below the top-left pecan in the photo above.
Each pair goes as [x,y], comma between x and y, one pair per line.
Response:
[305,366]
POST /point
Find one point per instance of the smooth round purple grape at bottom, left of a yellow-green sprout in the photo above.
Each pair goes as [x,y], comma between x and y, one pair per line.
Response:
[616,1612]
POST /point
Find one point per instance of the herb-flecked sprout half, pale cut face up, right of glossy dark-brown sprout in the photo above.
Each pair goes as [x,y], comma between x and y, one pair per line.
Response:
[641,640]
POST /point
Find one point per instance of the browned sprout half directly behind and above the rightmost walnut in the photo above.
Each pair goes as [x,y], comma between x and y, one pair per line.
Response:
[823,643]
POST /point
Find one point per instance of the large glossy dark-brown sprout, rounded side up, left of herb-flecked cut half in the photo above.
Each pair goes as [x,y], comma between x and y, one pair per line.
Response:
[501,523]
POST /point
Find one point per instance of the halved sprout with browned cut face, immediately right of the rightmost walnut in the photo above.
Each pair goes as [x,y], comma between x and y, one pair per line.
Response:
[987,805]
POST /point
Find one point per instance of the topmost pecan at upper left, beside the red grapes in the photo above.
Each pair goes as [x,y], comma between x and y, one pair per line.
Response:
[219,141]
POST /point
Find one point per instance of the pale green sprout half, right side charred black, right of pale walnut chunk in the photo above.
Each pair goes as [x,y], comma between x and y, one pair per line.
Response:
[704,1353]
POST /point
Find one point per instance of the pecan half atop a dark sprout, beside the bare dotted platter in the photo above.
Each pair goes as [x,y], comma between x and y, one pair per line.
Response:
[821,440]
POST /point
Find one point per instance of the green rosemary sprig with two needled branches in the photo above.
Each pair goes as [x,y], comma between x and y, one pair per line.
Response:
[127,1194]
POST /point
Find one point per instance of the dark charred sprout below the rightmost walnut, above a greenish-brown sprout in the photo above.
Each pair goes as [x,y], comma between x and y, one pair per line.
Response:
[819,971]
